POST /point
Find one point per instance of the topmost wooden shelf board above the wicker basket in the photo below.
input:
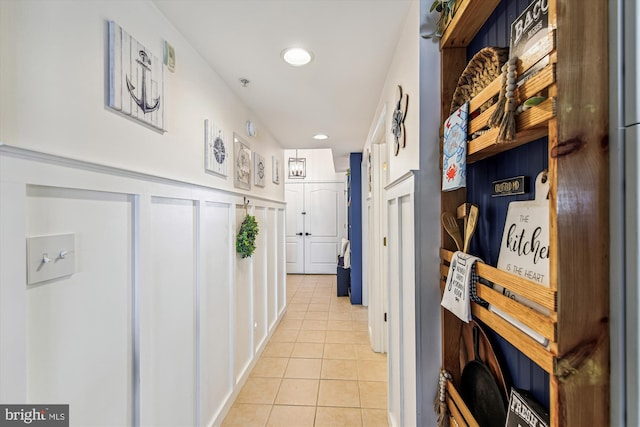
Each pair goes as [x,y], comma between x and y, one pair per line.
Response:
[469,17]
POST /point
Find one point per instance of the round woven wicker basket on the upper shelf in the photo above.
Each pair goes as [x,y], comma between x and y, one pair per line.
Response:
[484,67]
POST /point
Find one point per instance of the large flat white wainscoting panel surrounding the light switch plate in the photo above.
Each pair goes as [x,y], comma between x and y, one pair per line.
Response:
[83,321]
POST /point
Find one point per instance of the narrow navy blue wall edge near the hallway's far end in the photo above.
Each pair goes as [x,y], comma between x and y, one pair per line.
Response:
[355,226]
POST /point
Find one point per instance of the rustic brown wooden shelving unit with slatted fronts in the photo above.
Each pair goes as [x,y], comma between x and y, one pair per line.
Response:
[574,118]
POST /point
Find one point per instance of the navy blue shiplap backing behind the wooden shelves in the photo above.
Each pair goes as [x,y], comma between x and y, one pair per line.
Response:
[526,160]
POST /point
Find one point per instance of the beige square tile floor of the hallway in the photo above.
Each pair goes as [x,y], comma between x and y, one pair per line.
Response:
[318,369]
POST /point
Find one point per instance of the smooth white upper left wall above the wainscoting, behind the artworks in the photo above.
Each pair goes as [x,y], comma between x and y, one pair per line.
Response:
[54,84]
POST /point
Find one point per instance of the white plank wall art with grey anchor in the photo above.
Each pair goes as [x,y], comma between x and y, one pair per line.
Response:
[136,79]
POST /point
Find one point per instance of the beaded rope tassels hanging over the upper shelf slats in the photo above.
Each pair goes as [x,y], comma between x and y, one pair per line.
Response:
[504,114]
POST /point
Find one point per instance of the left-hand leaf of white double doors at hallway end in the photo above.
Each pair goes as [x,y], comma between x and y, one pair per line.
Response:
[294,196]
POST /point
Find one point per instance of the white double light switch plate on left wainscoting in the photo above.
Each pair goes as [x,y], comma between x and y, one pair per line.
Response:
[50,257]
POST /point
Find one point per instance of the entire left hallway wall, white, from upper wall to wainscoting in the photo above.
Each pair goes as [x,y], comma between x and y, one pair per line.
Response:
[162,320]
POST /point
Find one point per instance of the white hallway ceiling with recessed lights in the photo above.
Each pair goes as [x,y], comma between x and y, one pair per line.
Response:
[352,41]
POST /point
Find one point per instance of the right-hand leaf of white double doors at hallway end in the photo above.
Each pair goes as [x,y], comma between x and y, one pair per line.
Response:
[324,226]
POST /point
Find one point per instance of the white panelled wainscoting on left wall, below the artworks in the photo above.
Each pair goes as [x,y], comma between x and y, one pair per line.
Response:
[162,320]
